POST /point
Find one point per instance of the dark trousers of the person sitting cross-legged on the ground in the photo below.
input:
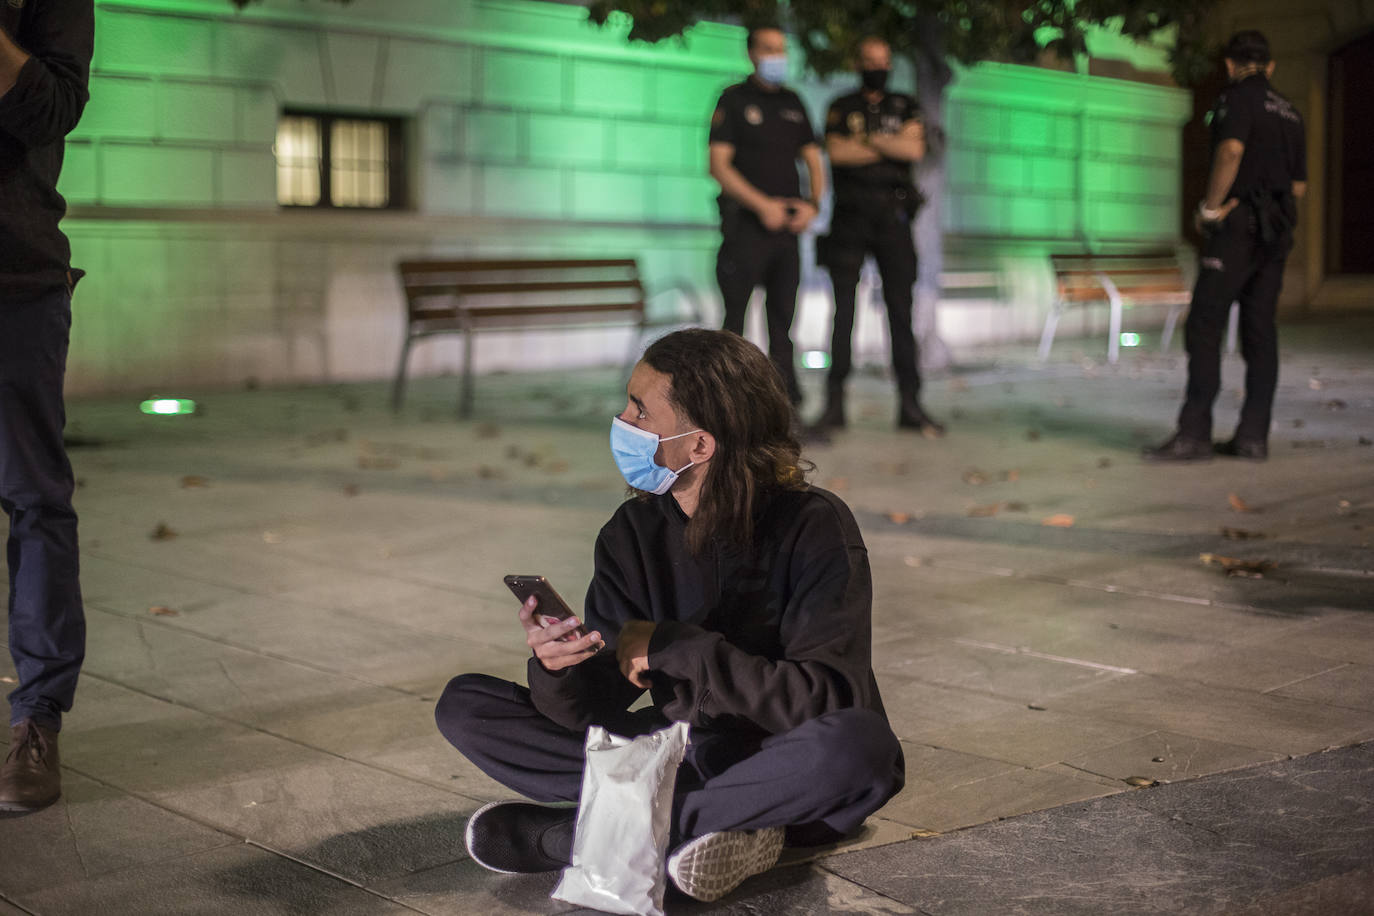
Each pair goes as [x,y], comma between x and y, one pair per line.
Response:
[821,779]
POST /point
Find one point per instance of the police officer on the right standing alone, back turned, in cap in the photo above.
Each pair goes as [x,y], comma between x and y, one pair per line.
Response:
[1259,172]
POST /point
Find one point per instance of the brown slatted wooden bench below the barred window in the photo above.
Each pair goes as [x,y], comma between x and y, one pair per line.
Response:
[465,297]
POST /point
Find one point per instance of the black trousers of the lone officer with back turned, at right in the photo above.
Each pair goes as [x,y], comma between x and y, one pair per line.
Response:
[1235,267]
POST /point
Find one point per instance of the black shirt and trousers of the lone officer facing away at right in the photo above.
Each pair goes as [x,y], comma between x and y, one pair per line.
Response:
[1243,259]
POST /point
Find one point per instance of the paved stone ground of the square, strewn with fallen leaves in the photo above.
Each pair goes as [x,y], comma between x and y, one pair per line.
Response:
[264,742]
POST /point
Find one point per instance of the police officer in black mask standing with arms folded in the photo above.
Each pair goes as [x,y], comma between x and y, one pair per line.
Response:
[873,138]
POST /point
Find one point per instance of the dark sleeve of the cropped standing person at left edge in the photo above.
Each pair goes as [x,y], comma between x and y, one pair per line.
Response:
[50,94]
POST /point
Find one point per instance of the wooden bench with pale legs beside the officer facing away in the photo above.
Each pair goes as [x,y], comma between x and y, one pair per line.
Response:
[1122,281]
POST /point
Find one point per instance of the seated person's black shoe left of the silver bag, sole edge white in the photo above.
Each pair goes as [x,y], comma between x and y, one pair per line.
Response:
[520,838]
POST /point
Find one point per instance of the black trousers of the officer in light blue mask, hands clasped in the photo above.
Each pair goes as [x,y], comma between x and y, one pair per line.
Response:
[752,256]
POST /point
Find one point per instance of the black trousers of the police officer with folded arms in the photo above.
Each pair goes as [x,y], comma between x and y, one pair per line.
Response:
[883,230]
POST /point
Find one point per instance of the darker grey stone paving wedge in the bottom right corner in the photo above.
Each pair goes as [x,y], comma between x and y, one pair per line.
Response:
[1254,840]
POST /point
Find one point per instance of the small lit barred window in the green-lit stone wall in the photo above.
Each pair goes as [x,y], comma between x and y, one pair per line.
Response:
[340,161]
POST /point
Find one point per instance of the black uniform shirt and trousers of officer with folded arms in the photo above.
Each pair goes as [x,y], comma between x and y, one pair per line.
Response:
[875,207]
